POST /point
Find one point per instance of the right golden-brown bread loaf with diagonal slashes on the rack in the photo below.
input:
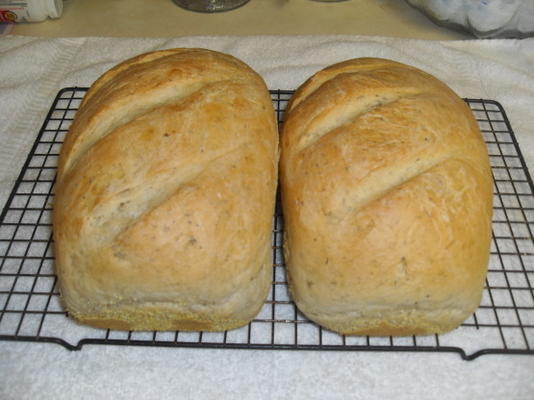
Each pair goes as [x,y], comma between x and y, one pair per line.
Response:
[387,201]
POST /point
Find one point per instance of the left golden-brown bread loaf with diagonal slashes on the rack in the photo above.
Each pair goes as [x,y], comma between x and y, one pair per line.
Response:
[165,195]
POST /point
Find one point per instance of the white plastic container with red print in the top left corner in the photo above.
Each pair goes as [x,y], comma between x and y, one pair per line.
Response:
[29,10]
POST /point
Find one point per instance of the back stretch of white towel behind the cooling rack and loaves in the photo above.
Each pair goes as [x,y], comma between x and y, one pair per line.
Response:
[32,70]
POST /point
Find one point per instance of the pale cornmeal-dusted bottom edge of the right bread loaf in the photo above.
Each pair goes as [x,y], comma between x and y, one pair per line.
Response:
[400,322]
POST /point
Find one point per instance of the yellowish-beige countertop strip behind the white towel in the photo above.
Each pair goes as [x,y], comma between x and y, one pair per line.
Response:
[162,18]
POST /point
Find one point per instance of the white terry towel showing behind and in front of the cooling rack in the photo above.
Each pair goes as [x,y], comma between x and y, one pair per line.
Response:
[32,70]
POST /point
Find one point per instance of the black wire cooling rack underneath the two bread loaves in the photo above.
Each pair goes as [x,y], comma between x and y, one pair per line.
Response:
[30,309]
